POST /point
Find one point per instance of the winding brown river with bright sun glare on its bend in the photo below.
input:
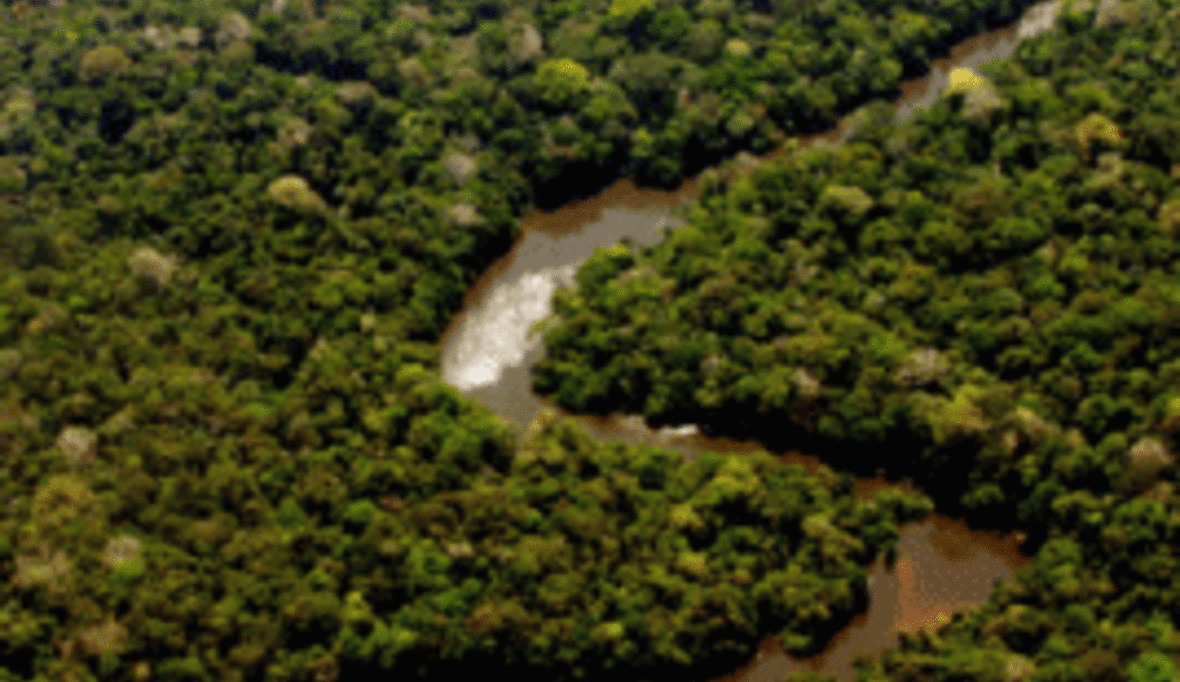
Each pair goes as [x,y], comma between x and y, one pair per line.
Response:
[942,566]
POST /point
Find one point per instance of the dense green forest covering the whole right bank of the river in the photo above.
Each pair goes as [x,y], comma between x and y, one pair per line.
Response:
[985,298]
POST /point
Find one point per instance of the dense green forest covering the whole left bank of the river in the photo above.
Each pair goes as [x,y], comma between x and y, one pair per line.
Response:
[232,234]
